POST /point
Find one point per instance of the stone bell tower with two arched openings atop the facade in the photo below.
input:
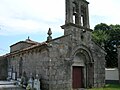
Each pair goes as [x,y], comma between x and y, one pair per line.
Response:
[77,15]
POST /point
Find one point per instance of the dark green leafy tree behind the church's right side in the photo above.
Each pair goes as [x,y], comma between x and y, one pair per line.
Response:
[108,37]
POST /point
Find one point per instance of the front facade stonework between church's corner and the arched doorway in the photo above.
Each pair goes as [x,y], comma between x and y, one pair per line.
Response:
[60,70]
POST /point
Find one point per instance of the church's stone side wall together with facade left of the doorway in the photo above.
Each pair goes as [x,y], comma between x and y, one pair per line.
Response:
[49,62]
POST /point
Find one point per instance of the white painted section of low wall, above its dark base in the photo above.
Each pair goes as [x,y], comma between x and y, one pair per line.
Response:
[111,74]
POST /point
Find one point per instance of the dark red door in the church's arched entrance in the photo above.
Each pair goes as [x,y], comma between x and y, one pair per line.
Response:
[77,77]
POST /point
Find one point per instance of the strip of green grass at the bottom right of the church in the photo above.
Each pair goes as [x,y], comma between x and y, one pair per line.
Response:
[108,87]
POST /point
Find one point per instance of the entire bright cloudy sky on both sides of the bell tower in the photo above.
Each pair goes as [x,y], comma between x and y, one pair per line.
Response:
[22,18]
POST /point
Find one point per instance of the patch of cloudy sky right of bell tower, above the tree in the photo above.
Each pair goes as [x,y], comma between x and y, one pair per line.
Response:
[106,11]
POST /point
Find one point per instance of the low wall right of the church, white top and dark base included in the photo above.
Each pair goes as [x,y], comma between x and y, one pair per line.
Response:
[111,75]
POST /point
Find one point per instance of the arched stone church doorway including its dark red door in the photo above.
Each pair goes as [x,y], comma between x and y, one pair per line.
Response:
[82,70]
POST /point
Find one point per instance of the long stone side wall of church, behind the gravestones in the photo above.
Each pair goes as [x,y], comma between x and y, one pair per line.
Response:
[35,61]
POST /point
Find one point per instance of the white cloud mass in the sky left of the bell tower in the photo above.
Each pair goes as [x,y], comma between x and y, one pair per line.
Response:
[28,16]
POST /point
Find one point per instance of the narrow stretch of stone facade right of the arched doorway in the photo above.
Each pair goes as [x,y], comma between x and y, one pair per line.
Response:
[99,65]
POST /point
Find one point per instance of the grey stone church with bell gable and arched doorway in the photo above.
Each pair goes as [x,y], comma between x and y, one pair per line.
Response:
[69,62]
